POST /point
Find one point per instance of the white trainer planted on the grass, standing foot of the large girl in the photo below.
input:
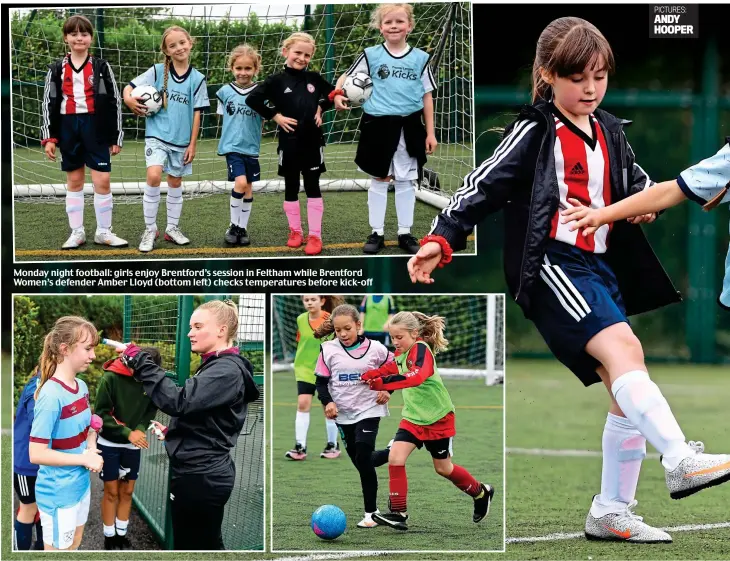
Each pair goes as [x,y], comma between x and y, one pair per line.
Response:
[623,526]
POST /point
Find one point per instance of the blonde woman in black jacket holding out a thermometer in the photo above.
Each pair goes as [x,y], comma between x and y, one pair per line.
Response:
[208,413]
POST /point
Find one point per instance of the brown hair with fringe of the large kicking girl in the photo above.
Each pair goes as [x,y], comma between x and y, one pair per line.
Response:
[567,46]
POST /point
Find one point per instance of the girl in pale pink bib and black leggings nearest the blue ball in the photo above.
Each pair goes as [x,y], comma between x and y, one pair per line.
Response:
[353,406]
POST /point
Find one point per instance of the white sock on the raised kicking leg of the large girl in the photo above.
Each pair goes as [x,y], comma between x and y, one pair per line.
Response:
[642,402]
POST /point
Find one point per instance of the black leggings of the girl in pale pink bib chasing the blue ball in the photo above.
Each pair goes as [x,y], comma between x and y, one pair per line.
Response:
[359,442]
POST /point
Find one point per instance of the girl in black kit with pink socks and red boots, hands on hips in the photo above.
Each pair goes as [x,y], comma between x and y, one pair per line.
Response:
[298,97]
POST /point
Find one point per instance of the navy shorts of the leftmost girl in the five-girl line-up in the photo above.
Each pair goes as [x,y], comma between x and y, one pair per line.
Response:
[79,145]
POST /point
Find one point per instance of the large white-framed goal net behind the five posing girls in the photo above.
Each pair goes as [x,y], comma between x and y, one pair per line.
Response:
[129,38]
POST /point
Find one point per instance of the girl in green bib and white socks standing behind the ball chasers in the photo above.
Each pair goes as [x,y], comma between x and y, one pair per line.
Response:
[318,309]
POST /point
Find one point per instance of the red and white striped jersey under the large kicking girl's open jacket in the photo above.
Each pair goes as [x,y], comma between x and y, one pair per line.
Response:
[583,172]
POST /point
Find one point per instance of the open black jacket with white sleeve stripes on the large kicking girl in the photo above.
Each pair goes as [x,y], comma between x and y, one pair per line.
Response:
[520,178]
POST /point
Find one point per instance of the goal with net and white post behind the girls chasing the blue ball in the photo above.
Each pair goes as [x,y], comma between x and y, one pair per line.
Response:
[474,328]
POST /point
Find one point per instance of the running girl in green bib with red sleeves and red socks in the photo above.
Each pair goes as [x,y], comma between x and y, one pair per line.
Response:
[428,413]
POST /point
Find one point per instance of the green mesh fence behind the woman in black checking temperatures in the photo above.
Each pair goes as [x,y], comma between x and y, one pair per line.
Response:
[163,322]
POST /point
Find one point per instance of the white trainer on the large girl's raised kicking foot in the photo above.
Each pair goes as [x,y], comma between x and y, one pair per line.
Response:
[697,472]
